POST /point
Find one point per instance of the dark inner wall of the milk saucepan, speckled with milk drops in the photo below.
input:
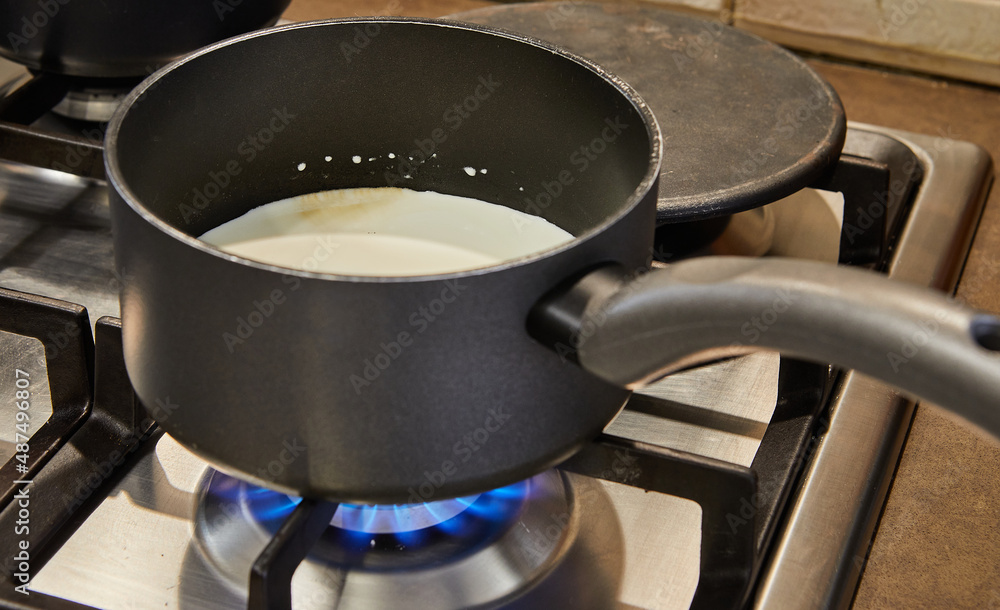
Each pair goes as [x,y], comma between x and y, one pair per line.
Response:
[390,103]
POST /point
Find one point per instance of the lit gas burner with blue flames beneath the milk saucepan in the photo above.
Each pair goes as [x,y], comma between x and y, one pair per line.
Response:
[486,545]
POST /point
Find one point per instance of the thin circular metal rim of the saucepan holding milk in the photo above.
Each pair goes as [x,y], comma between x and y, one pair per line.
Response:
[117,179]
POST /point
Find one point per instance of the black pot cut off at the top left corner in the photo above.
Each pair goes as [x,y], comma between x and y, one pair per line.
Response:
[122,38]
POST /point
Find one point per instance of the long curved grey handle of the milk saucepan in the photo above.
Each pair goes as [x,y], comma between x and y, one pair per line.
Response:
[629,331]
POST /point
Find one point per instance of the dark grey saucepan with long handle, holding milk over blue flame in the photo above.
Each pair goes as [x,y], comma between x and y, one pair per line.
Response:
[396,389]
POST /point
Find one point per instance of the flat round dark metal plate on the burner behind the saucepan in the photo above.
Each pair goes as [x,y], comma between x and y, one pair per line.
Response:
[744,121]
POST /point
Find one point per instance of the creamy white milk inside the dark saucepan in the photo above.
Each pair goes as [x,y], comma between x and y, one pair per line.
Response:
[384,232]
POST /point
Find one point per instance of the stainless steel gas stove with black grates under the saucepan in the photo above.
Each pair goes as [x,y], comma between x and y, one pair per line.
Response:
[753,481]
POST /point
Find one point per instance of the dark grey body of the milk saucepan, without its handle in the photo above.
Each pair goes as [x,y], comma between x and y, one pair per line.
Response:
[371,388]
